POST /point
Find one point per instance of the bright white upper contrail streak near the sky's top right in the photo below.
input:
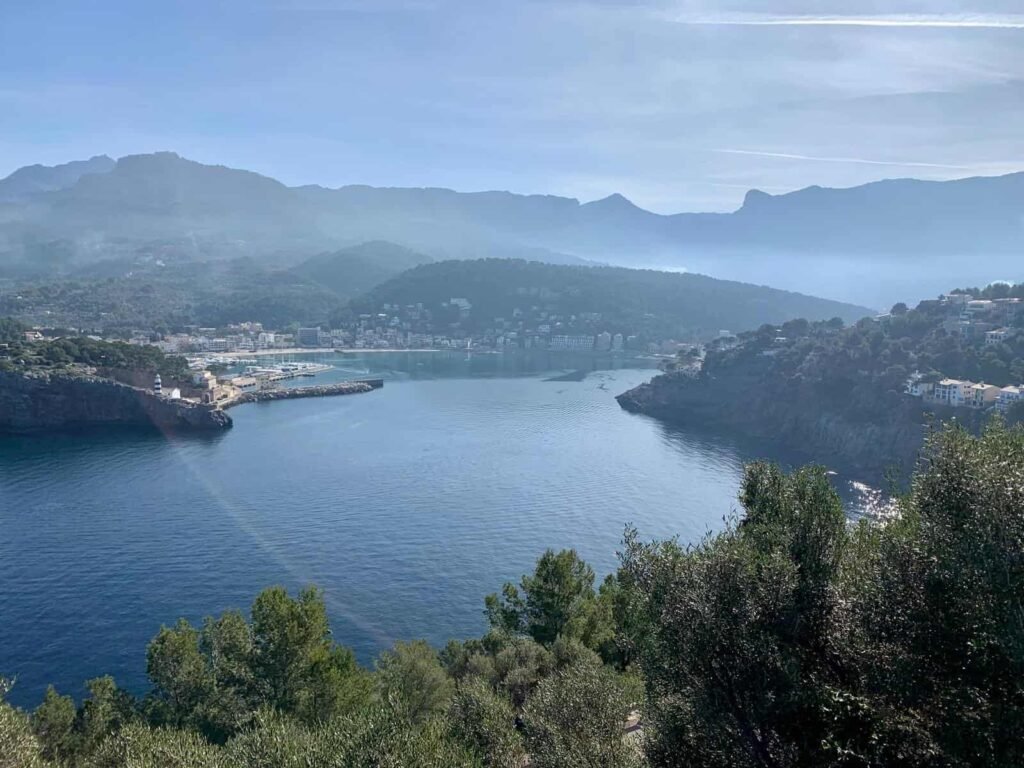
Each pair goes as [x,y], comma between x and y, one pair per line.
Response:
[1012,22]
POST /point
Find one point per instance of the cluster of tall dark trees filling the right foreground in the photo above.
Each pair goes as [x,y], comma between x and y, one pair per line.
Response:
[792,639]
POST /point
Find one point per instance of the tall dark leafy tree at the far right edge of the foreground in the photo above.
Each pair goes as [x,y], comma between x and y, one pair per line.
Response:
[946,617]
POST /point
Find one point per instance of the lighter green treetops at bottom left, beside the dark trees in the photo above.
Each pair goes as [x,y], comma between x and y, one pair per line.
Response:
[275,689]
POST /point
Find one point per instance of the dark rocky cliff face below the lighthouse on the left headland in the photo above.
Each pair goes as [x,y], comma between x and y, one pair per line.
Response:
[40,401]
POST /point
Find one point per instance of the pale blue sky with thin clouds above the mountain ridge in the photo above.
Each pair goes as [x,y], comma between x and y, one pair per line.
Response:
[680,106]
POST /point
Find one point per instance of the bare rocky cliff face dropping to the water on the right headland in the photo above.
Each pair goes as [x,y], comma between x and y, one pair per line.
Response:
[734,403]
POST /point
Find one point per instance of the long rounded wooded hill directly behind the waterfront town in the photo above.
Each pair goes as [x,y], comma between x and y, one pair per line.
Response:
[629,302]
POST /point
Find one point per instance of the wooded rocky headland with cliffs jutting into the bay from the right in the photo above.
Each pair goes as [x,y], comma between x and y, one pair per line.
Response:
[840,392]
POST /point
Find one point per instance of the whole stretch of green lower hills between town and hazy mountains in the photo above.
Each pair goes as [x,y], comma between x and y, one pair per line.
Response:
[159,296]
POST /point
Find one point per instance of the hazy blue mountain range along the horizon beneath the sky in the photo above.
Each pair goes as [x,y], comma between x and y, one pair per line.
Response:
[873,244]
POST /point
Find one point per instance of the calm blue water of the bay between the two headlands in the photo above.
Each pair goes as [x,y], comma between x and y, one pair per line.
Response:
[407,506]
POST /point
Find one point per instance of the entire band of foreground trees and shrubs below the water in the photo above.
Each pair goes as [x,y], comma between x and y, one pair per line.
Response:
[792,638]
